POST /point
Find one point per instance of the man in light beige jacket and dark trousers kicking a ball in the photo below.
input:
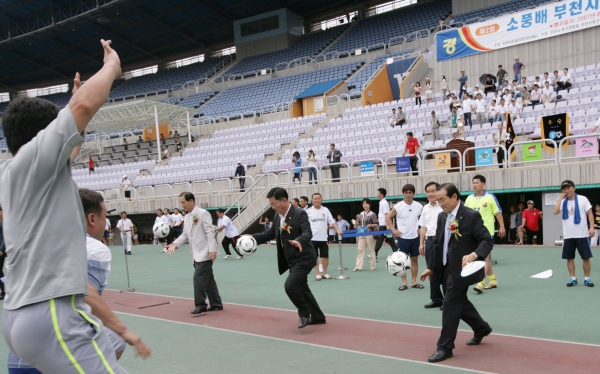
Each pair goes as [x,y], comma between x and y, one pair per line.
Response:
[198,230]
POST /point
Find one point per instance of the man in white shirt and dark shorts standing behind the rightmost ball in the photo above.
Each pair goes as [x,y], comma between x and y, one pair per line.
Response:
[407,214]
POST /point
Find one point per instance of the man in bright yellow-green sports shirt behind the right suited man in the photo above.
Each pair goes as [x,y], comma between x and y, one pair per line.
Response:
[487,205]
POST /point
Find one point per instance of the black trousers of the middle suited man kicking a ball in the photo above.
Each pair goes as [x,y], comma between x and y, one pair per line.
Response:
[296,287]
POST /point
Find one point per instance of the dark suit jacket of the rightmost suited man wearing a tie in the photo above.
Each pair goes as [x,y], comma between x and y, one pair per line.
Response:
[475,238]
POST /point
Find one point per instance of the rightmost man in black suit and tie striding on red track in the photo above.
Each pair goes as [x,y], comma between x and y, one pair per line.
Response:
[452,250]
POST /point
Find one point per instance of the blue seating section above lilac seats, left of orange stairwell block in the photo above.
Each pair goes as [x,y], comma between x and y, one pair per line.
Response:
[253,97]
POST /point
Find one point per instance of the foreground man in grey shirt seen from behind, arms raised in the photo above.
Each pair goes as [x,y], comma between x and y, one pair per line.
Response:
[48,280]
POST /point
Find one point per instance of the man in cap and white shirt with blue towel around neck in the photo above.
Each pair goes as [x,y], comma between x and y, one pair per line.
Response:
[576,213]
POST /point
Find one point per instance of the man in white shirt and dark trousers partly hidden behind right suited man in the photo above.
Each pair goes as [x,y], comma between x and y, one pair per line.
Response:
[427,230]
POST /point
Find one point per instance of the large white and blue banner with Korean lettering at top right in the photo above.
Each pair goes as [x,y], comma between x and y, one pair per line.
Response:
[544,21]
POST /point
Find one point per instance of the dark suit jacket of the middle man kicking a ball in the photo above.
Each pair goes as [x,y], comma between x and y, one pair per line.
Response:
[287,254]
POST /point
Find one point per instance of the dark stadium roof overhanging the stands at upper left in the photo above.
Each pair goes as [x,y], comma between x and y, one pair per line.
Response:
[43,42]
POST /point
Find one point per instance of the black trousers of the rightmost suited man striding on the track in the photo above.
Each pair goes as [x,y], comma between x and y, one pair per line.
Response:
[457,307]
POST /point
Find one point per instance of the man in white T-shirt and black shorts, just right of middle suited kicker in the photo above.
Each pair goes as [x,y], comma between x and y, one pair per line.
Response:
[319,218]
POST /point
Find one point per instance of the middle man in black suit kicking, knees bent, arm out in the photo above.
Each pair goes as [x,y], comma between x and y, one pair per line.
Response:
[291,230]
